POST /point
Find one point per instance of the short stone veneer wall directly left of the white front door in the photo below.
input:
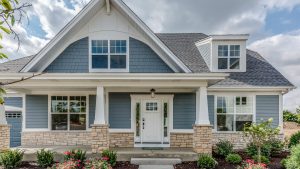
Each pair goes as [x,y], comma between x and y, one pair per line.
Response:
[121,139]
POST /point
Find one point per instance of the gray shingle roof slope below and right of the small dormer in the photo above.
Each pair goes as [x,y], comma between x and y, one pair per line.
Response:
[259,73]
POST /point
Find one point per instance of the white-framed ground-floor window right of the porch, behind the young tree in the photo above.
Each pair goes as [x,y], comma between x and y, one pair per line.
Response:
[233,112]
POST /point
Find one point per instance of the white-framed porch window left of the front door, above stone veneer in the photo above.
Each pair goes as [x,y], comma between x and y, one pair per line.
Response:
[68,112]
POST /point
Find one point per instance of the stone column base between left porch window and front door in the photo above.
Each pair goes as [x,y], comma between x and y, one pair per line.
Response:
[100,138]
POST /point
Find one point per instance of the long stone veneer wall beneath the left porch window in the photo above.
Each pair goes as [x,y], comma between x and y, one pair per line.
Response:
[56,138]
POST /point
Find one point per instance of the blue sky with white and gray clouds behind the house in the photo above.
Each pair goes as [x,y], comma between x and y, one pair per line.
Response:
[273,25]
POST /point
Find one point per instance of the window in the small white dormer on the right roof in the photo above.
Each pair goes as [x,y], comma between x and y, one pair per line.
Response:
[228,57]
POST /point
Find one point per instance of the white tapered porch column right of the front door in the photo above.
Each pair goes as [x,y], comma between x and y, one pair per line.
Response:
[202,117]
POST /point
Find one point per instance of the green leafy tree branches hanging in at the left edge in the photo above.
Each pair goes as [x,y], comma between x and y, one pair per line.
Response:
[11,12]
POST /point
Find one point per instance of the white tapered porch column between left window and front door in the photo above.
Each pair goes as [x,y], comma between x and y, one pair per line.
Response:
[100,106]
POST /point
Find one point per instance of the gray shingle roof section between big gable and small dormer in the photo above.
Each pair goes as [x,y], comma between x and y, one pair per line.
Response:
[183,46]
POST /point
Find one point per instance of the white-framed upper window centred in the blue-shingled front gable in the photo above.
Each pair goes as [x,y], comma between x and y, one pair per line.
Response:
[109,54]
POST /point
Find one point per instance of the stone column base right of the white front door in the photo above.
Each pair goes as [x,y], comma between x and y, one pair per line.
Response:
[202,139]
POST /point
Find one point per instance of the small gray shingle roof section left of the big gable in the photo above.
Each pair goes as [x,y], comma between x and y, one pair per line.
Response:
[14,66]
